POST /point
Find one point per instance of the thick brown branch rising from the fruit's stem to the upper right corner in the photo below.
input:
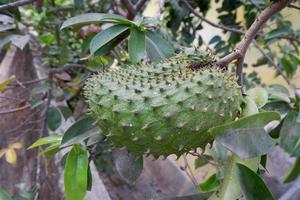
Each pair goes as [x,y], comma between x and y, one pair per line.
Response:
[242,47]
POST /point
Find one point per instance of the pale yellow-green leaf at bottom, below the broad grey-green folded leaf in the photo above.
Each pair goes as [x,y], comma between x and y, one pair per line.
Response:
[230,187]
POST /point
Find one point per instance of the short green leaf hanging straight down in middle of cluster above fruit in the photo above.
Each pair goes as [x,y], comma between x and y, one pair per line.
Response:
[136,45]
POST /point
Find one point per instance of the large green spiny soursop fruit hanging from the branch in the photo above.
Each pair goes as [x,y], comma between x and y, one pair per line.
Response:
[163,108]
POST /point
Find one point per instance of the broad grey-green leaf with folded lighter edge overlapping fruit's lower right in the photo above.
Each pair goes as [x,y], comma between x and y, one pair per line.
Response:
[246,137]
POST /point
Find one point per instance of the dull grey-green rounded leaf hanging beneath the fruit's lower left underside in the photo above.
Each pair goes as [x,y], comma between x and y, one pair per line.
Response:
[128,166]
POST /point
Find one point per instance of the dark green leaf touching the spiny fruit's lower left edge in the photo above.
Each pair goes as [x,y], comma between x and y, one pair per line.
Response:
[79,131]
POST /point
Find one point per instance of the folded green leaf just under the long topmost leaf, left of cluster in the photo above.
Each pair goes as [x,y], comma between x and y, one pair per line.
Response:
[106,36]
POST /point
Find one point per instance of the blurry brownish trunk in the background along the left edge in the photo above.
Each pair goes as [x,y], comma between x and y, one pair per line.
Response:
[24,126]
